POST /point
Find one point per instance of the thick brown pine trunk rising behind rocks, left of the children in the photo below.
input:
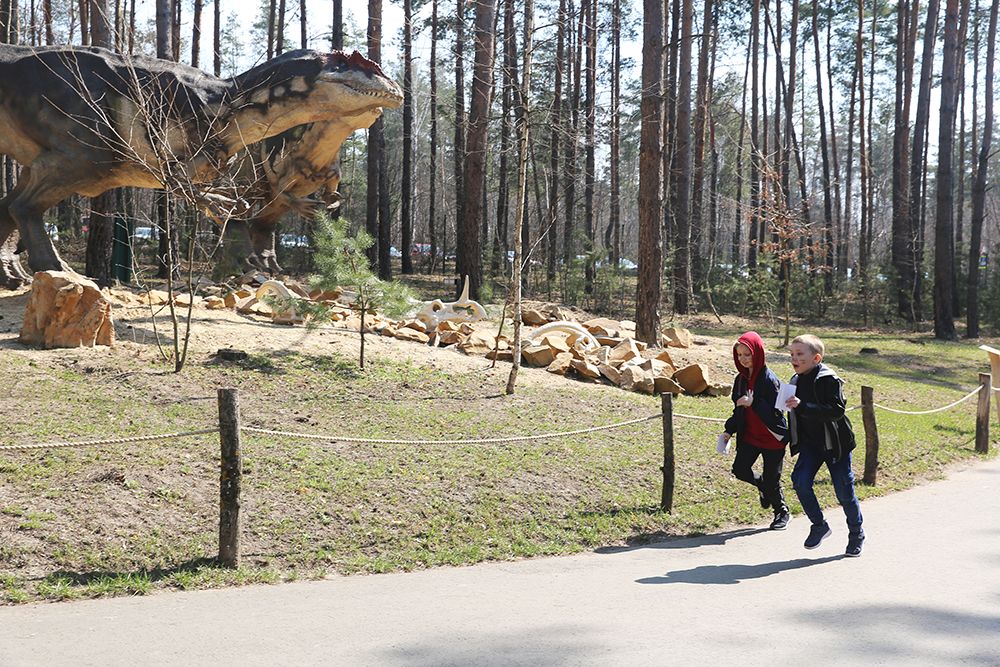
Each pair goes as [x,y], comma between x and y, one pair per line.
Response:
[648,286]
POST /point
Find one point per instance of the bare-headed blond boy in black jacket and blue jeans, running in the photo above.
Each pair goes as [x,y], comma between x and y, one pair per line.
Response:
[821,433]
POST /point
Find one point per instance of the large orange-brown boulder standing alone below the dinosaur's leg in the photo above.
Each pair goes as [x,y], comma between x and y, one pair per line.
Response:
[66,310]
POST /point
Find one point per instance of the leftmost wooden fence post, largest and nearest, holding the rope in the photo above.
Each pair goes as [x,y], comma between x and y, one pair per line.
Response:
[230,477]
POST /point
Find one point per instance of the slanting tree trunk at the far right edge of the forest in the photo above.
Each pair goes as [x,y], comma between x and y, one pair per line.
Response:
[979,184]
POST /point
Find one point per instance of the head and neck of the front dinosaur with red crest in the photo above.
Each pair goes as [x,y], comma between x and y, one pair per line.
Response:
[307,86]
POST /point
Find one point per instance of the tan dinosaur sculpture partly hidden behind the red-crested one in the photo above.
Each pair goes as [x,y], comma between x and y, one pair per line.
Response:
[296,164]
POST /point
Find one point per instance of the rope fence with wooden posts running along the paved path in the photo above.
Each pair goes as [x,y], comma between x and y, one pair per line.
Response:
[231,465]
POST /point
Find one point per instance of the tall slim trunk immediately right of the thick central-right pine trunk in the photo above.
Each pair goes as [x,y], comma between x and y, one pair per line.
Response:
[682,241]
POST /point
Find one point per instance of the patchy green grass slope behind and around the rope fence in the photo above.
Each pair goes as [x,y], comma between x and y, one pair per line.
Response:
[129,518]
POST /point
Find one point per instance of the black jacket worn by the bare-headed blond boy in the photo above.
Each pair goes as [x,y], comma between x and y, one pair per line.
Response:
[820,422]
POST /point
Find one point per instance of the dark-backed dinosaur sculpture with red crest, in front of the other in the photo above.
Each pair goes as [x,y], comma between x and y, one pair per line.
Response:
[85,120]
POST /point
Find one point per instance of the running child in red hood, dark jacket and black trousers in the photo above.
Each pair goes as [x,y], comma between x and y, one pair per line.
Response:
[759,427]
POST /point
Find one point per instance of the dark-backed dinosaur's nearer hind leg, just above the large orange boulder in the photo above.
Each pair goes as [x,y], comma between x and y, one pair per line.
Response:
[39,188]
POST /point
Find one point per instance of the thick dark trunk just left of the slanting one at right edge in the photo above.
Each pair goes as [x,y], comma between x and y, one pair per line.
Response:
[944,228]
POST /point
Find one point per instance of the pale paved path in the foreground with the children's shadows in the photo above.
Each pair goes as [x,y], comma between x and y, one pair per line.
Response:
[926,591]
